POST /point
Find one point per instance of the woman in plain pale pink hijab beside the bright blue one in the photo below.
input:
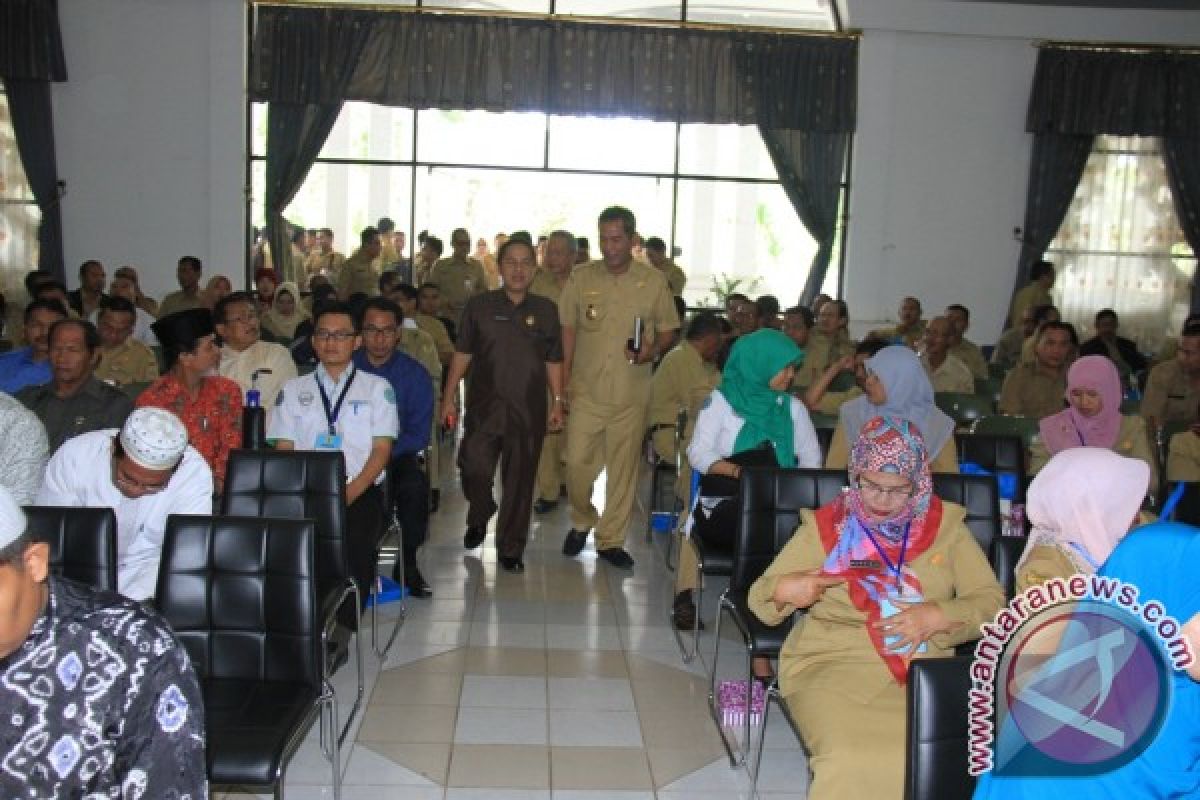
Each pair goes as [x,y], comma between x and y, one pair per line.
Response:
[1079,508]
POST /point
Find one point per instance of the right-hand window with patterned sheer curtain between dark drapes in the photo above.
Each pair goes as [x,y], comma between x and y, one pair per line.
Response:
[1121,245]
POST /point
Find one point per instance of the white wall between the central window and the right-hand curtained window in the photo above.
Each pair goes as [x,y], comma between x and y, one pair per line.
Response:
[941,155]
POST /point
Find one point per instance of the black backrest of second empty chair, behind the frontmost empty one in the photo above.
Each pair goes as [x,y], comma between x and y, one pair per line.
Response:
[295,485]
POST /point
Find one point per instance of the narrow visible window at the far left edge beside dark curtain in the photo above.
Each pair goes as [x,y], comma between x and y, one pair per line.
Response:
[20,219]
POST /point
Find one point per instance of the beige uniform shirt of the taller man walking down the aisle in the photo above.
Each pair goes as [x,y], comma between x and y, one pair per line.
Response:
[602,308]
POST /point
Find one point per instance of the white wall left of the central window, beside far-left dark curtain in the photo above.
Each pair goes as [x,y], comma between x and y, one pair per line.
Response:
[151,136]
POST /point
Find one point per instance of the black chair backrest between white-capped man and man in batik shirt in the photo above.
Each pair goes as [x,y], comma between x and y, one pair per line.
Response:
[83,543]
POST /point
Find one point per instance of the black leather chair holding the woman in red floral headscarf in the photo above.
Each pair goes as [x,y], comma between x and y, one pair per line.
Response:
[770,503]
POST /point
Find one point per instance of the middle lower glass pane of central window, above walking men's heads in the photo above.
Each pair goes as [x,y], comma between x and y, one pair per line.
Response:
[491,201]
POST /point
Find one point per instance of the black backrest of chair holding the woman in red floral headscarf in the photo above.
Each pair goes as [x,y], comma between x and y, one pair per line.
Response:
[770,503]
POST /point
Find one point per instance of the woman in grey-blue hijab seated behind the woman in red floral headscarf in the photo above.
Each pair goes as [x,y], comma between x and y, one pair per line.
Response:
[897,386]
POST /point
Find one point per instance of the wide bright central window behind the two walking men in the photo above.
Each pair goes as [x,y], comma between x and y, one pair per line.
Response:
[710,191]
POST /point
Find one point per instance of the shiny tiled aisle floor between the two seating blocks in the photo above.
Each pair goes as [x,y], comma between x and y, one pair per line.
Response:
[560,684]
